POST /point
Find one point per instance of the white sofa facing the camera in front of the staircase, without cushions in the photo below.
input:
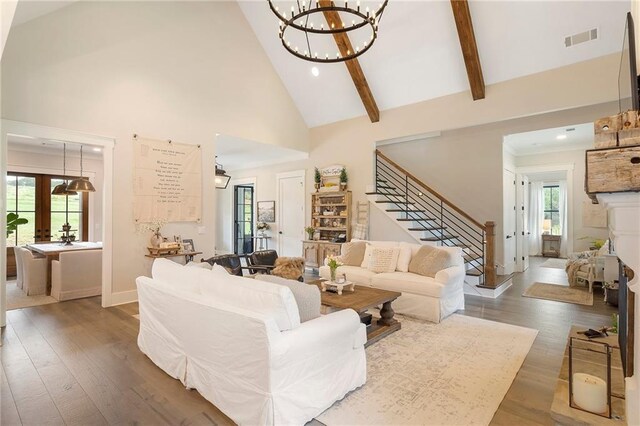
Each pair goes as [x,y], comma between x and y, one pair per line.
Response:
[431,299]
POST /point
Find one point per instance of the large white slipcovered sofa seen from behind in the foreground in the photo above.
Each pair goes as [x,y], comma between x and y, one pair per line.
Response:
[240,343]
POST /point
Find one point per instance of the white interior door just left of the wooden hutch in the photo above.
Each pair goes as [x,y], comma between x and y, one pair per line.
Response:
[291,212]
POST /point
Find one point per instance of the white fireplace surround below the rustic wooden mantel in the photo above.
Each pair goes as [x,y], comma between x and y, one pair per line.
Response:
[624,230]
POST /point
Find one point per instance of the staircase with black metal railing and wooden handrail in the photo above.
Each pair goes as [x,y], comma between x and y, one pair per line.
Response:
[431,219]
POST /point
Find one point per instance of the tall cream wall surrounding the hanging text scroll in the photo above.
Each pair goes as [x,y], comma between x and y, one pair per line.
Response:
[167,70]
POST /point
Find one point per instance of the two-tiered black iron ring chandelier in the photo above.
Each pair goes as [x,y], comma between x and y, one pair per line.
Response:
[300,20]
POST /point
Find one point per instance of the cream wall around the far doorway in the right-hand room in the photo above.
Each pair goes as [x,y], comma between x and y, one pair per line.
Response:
[577,159]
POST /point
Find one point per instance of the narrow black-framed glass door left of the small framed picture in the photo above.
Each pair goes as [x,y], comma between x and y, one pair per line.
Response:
[243,219]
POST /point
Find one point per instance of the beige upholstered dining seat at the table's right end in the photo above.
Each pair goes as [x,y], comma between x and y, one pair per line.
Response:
[76,274]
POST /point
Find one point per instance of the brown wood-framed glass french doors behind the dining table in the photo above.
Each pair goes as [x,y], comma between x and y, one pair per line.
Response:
[29,195]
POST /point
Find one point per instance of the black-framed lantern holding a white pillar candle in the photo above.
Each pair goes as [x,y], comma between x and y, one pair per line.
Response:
[590,376]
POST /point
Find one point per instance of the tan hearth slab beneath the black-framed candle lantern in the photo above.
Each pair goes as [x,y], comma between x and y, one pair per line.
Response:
[563,414]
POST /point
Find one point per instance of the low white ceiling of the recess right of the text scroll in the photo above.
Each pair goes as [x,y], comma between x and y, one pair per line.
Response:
[237,154]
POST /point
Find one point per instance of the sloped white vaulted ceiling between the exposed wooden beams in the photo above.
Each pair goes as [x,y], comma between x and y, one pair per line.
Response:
[417,54]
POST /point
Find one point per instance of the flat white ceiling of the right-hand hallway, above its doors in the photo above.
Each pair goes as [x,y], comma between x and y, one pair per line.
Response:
[546,141]
